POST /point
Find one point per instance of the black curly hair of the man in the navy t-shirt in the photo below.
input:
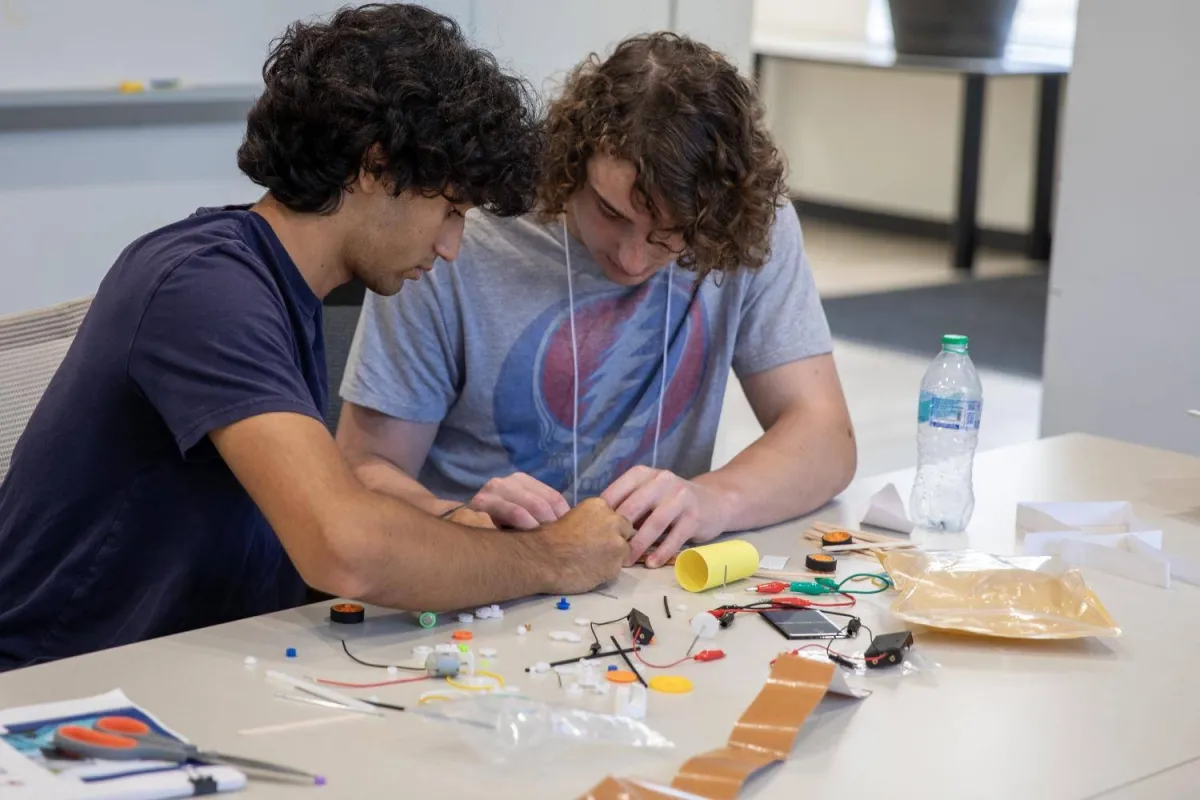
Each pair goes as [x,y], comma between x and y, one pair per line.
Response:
[398,92]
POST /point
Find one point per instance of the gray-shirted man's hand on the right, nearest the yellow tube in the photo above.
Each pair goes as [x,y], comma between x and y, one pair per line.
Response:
[665,509]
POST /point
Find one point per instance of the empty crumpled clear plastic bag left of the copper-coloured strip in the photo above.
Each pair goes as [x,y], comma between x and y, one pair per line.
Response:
[502,726]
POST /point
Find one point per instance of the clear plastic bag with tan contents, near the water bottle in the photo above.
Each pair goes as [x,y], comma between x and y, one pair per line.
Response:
[1024,598]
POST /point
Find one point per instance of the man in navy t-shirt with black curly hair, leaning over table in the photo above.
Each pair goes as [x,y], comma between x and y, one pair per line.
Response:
[177,472]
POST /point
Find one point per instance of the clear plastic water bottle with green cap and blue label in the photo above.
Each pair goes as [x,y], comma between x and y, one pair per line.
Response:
[947,435]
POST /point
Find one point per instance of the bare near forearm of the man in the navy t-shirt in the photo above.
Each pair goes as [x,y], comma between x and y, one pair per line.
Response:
[403,558]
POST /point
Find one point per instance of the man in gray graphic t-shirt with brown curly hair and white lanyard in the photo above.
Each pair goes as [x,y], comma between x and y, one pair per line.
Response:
[585,352]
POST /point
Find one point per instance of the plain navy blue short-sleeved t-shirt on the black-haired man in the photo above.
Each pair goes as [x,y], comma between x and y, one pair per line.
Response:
[119,521]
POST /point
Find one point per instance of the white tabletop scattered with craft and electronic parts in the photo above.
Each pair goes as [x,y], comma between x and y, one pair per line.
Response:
[995,720]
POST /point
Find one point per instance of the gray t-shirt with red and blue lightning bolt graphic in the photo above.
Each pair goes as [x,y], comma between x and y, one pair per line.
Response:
[483,348]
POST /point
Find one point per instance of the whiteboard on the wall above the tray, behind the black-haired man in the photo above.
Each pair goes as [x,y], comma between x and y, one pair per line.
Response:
[95,44]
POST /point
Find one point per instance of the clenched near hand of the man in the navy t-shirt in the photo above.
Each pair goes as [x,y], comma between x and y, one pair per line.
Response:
[585,549]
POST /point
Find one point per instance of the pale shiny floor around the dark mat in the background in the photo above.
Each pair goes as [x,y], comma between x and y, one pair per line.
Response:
[881,386]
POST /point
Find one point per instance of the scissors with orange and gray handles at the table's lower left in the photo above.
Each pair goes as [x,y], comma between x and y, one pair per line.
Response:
[128,739]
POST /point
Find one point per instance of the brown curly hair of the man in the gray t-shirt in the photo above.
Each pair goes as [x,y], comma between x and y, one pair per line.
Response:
[694,130]
